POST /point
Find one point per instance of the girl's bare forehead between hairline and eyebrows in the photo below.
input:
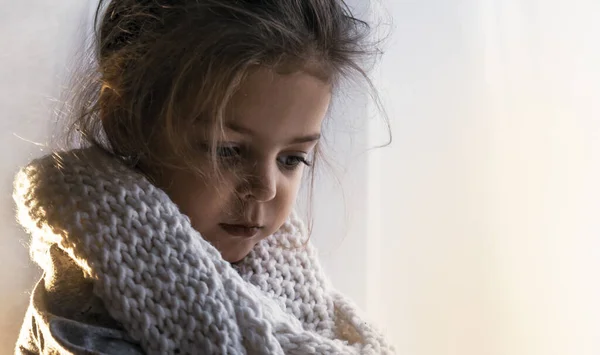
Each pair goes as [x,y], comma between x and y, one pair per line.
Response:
[280,106]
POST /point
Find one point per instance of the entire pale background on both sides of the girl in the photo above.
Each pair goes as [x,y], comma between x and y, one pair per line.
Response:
[475,232]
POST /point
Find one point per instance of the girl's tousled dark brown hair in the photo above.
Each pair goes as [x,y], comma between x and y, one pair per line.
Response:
[161,65]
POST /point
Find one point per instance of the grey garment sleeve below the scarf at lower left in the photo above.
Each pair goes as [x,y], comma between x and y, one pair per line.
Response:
[65,317]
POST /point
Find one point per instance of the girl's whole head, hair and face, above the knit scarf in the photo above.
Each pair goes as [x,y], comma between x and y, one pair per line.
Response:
[220,102]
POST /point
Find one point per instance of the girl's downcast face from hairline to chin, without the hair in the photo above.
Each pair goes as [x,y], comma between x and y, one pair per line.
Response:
[271,127]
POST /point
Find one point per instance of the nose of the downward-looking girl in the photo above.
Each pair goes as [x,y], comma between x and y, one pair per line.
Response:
[261,182]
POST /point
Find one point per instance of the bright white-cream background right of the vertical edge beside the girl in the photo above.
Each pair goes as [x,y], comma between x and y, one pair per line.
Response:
[489,195]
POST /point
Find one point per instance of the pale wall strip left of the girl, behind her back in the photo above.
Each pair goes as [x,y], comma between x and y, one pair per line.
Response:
[36,38]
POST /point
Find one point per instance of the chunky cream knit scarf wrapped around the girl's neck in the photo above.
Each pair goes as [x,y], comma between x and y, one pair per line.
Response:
[170,288]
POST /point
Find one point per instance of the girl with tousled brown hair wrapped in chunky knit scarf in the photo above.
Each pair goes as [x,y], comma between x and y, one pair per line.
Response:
[172,230]
